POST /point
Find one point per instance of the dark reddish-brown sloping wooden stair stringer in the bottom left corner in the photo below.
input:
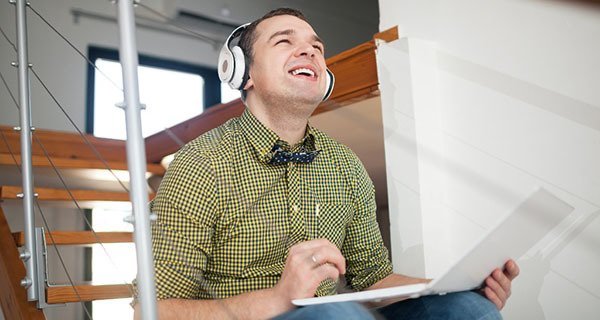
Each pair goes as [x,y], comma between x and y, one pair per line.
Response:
[13,297]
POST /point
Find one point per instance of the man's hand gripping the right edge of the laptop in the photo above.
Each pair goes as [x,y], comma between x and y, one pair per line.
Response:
[498,285]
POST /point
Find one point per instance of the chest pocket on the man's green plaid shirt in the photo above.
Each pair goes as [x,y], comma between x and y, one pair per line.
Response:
[332,221]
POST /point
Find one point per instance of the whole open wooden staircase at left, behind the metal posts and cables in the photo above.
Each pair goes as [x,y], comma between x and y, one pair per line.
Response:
[72,156]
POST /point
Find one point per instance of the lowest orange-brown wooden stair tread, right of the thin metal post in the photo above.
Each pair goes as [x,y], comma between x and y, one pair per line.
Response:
[87,292]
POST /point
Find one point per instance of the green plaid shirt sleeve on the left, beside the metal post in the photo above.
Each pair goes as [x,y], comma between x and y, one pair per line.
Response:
[186,207]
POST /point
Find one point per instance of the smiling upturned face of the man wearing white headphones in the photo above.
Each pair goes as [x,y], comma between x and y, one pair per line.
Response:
[288,61]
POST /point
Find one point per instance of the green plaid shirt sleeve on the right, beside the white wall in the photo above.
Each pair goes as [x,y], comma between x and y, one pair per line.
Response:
[367,258]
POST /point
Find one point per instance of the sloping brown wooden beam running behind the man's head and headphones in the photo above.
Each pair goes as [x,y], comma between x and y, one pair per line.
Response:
[356,80]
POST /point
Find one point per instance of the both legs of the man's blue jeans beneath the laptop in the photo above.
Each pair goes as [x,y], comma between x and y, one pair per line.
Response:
[462,305]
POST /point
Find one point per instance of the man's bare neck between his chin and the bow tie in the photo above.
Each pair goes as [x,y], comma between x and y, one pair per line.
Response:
[288,120]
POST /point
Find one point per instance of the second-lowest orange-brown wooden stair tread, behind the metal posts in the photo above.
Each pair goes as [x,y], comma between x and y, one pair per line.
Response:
[78,237]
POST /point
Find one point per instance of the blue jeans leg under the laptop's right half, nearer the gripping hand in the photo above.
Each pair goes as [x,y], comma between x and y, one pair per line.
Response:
[466,305]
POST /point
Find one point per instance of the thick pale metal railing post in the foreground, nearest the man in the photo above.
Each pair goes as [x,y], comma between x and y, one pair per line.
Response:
[136,161]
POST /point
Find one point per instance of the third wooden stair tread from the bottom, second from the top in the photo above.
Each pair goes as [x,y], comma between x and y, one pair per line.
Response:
[49,194]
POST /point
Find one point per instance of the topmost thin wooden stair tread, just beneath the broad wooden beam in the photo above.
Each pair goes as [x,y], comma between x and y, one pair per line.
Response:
[71,163]
